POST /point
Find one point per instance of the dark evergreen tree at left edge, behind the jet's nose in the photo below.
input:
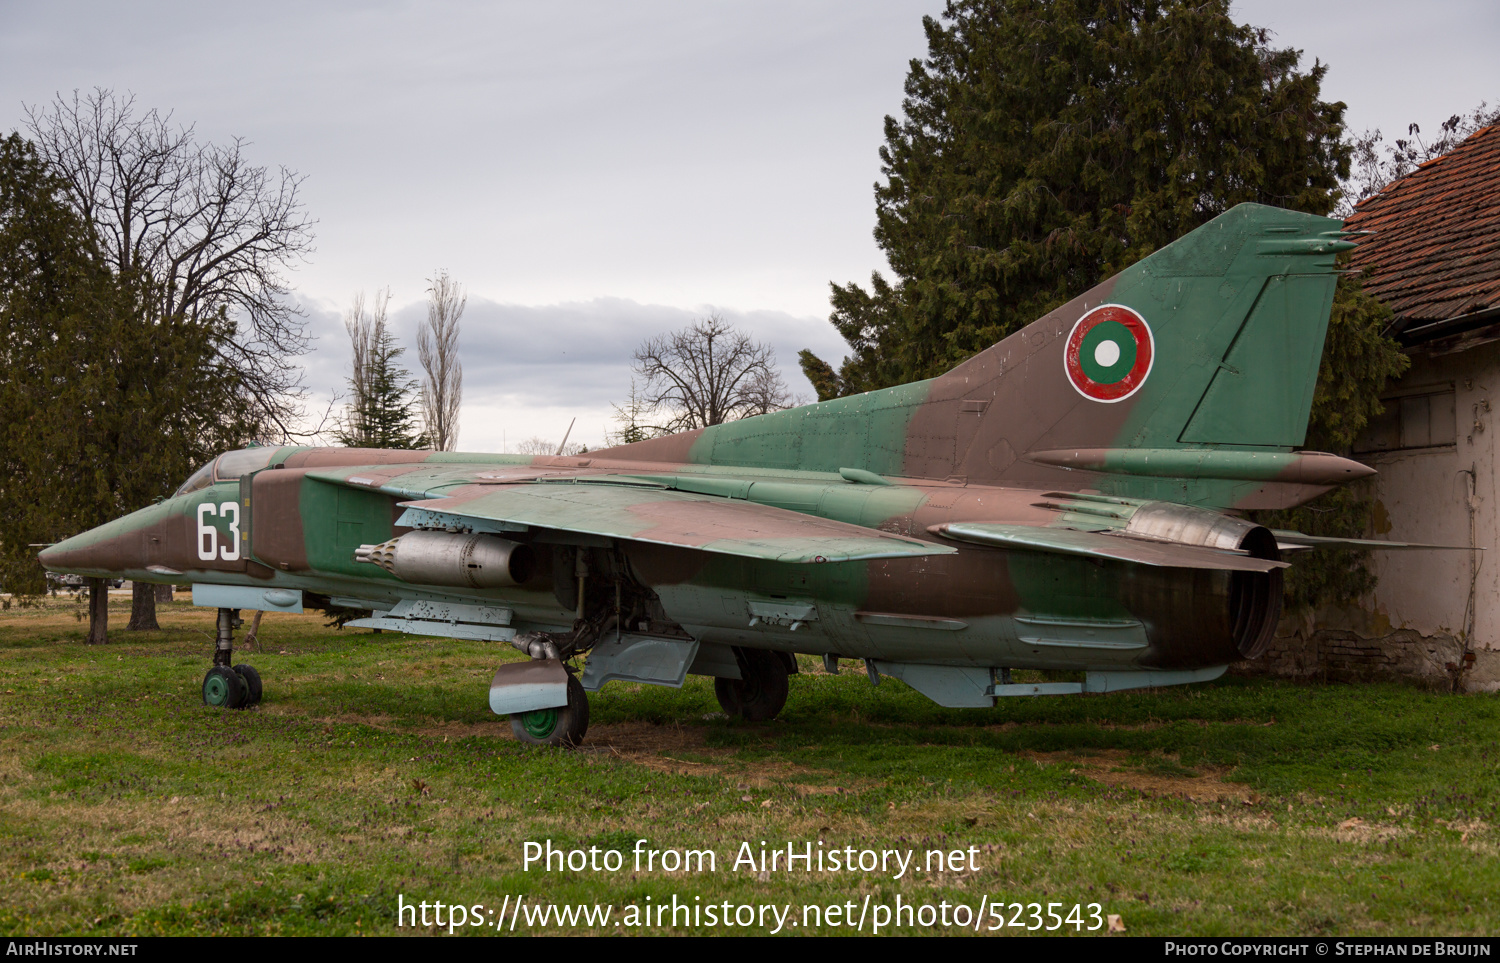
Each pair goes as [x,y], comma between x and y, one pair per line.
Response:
[104,404]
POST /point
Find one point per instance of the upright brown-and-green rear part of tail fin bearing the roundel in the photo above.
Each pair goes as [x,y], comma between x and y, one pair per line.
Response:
[1213,343]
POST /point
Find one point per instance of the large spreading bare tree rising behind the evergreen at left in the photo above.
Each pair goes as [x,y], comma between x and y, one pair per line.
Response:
[214,232]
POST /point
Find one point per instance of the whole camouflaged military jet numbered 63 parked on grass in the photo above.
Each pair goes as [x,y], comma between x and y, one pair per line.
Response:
[1070,499]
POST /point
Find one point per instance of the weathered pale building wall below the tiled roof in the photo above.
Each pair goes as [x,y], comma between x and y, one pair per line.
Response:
[1417,623]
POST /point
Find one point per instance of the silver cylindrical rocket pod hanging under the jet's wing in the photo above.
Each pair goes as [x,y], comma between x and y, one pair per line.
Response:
[451,559]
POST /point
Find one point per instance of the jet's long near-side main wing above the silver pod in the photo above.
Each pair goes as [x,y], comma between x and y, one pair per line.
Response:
[685,520]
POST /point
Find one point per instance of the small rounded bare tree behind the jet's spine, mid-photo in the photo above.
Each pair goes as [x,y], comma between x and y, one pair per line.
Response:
[709,374]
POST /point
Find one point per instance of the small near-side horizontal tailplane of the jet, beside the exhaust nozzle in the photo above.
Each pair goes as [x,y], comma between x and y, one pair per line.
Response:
[1099,545]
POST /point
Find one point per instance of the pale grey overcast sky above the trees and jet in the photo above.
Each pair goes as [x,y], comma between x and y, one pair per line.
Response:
[598,173]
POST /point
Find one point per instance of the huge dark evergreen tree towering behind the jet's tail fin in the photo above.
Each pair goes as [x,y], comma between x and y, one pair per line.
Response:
[1052,143]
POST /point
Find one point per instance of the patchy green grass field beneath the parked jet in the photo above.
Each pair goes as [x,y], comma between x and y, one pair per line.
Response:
[376,773]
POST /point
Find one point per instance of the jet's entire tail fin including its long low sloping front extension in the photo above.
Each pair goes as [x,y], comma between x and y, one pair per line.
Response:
[1207,350]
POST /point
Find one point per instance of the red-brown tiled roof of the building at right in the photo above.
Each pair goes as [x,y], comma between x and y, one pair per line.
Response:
[1436,244]
